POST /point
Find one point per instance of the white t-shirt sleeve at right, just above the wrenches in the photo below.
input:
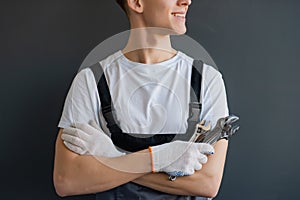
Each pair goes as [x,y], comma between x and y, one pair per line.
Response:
[213,94]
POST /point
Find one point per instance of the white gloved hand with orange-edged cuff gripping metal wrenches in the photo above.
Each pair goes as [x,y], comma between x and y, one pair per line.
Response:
[179,158]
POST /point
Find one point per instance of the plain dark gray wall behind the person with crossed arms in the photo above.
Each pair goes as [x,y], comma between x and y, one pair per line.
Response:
[255,43]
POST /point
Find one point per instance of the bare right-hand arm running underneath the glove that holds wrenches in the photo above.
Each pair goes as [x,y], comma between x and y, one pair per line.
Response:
[205,182]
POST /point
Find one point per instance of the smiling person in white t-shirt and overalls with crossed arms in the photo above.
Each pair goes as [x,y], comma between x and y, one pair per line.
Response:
[149,85]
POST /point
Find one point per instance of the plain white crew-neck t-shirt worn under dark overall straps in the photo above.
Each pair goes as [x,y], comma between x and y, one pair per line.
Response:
[148,98]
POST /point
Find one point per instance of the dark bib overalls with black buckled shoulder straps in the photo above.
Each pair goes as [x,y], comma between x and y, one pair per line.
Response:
[125,141]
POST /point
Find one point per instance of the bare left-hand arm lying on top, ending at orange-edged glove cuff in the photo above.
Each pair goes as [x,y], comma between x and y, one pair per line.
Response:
[74,174]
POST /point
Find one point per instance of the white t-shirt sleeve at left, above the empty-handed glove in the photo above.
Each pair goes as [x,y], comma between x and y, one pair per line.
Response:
[82,103]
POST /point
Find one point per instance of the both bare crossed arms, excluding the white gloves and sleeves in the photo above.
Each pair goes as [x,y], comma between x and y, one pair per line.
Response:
[83,174]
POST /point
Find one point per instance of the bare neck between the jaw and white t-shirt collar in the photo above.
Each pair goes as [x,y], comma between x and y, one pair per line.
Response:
[149,45]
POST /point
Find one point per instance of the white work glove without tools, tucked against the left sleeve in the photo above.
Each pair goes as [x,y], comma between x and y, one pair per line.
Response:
[88,139]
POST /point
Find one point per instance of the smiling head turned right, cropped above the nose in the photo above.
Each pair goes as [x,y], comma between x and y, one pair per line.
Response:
[169,14]
